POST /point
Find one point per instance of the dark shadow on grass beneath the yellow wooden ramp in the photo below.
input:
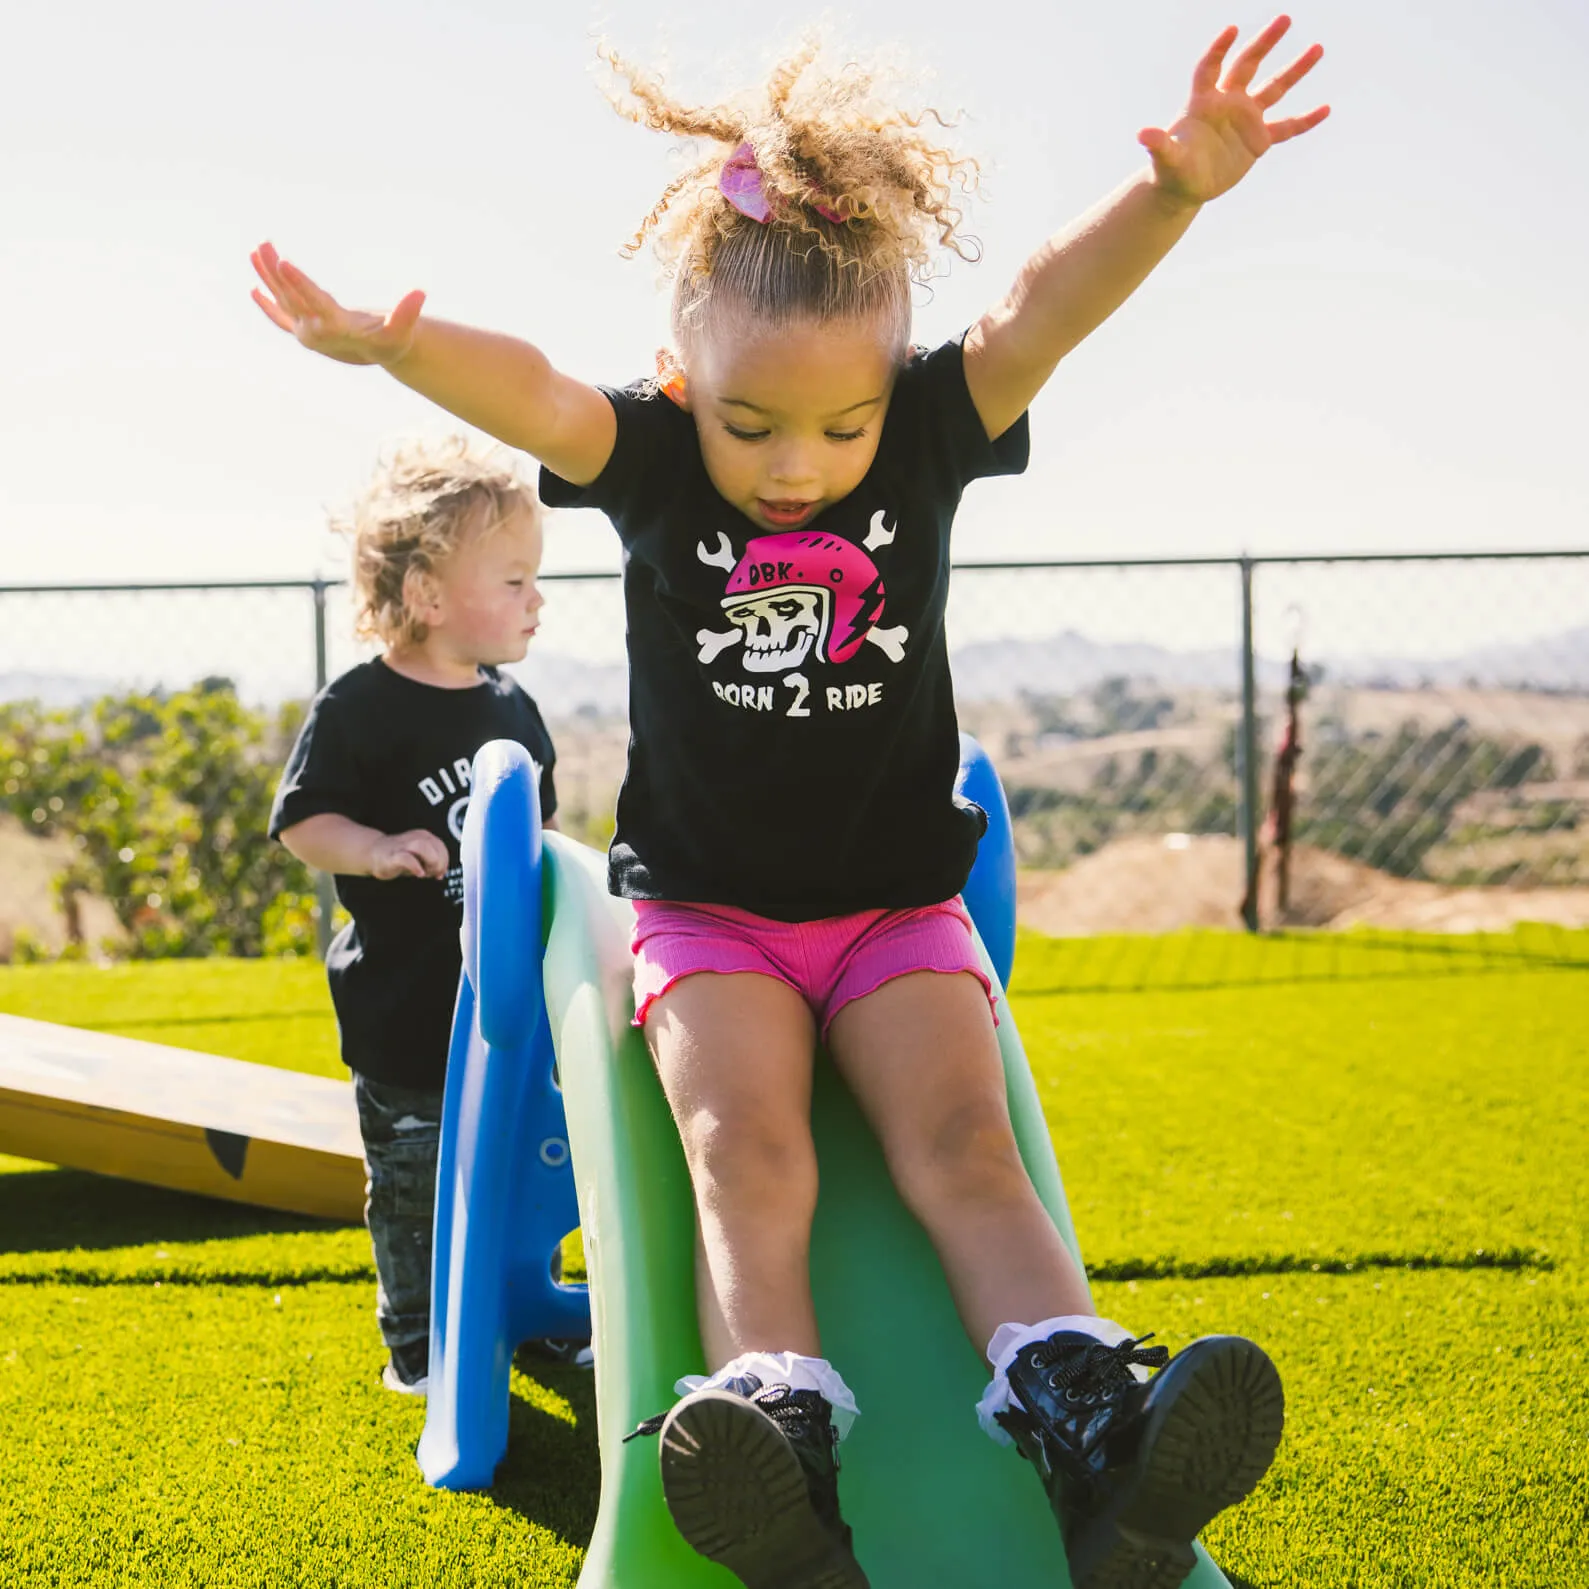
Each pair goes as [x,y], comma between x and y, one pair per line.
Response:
[58,1210]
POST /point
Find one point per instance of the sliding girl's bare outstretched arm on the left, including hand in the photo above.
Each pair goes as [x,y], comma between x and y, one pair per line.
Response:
[501,385]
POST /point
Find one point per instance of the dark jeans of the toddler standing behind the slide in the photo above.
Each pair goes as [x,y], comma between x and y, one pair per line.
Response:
[401,1129]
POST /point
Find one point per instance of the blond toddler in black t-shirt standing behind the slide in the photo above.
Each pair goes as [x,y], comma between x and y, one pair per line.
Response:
[446,551]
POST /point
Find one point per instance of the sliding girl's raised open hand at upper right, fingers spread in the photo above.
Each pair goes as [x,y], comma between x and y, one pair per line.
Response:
[1223,131]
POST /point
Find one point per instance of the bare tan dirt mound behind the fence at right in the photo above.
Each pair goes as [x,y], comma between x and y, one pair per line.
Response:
[1148,884]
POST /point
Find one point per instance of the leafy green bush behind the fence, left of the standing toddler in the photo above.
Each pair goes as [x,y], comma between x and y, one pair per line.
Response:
[166,802]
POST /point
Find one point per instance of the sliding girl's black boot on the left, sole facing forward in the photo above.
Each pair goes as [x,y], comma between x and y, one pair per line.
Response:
[751,1475]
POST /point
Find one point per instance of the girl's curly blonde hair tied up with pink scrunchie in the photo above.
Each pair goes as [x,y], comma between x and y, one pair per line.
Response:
[822,142]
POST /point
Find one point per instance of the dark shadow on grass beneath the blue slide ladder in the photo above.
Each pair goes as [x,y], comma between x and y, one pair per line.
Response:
[552,1471]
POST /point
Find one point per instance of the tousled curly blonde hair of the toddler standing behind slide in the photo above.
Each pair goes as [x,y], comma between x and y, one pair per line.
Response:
[422,505]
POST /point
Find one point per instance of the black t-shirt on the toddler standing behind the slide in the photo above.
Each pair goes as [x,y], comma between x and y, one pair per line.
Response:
[395,756]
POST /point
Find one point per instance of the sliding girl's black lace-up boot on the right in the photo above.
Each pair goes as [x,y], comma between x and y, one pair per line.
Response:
[1137,1469]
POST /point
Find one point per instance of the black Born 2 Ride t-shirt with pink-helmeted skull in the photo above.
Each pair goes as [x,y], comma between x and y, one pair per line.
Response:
[794,740]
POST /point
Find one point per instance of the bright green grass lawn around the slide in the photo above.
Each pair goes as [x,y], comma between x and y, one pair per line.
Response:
[1371,1161]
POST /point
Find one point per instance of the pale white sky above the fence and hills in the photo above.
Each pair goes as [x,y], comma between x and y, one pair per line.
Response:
[1378,342]
